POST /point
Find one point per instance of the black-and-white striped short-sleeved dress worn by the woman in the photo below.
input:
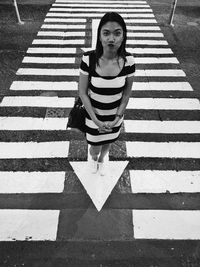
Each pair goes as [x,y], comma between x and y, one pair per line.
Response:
[105,93]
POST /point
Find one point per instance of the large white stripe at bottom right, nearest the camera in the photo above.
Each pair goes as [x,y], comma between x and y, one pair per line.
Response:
[166,224]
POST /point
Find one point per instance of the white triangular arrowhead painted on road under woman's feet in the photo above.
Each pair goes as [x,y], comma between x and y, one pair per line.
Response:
[99,187]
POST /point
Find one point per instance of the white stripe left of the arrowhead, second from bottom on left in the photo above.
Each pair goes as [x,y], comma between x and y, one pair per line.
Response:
[31,182]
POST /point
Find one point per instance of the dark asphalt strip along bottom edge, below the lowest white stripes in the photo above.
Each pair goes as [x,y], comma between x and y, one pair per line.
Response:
[104,253]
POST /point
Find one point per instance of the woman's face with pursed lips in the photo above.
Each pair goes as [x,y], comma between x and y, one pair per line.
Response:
[111,36]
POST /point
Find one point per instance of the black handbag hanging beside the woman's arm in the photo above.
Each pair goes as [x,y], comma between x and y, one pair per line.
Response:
[76,118]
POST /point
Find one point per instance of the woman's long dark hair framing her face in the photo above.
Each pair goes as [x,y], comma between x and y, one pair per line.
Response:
[114,17]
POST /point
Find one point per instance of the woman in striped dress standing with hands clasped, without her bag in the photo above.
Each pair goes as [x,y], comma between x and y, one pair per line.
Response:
[106,77]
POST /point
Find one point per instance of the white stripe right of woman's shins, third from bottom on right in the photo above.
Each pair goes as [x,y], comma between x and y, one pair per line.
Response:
[162,149]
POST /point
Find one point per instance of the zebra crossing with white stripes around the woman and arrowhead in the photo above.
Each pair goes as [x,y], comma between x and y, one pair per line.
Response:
[160,140]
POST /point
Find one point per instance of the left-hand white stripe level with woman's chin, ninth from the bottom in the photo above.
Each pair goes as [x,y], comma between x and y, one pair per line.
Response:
[49,50]
